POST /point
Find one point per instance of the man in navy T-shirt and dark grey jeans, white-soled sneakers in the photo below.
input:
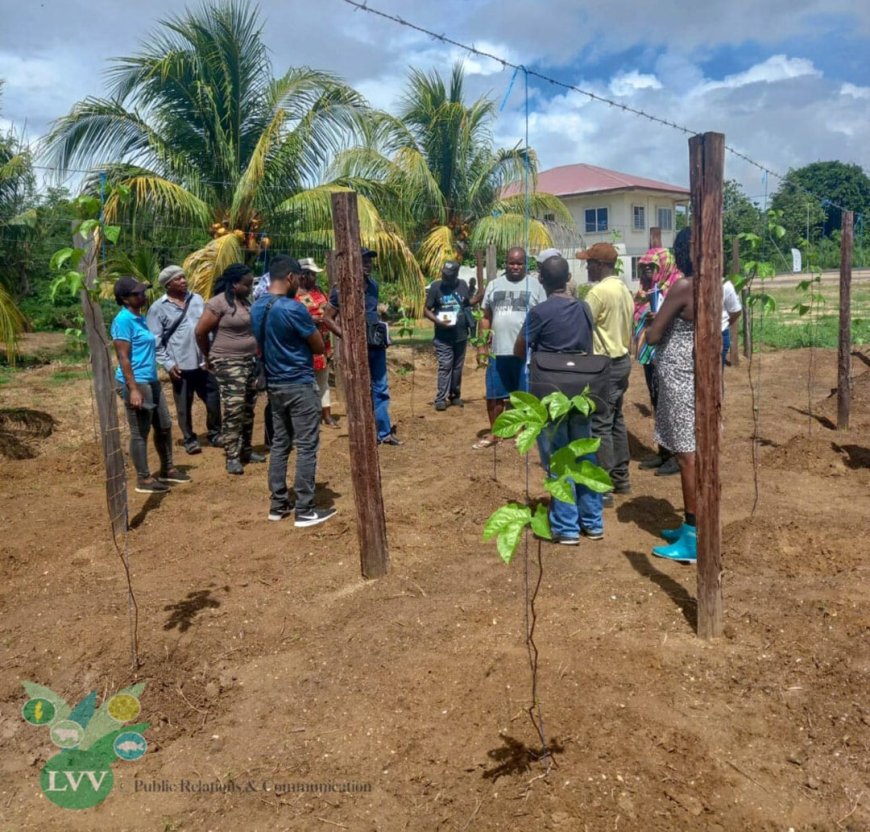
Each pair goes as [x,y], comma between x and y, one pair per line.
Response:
[288,337]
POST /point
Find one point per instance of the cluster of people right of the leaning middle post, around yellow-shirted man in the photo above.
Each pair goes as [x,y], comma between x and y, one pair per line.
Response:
[522,314]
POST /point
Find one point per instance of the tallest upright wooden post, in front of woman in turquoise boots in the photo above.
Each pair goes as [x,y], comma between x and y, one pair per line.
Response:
[706,171]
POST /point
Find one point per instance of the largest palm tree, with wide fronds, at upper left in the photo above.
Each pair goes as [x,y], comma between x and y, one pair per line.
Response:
[200,132]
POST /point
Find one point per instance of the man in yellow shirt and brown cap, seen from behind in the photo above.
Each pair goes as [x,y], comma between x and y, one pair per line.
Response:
[612,310]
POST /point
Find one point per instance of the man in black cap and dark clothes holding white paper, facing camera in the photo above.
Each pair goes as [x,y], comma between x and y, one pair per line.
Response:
[447,303]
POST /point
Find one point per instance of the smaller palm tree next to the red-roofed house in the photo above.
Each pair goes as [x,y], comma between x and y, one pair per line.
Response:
[436,167]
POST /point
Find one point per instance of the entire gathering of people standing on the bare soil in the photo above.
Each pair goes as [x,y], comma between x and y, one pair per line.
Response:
[218,349]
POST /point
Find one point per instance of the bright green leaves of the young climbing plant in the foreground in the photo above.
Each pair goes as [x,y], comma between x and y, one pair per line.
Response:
[526,420]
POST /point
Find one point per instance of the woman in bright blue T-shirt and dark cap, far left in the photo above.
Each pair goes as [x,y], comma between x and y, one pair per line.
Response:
[138,386]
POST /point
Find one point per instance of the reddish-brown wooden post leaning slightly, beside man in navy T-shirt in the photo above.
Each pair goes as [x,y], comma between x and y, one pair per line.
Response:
[365,469]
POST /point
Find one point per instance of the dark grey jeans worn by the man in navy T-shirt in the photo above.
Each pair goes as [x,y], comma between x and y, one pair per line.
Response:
[295,421]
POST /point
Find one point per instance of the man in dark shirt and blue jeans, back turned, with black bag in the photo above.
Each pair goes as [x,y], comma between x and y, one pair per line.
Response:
[563,324]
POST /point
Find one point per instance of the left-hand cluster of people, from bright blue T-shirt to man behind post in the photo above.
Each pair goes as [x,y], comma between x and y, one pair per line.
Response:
[224,350]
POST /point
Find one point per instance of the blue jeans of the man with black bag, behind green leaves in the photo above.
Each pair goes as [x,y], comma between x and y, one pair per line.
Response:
[586,512]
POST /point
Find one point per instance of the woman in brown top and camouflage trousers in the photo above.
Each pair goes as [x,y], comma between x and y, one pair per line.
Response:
[230,354]
